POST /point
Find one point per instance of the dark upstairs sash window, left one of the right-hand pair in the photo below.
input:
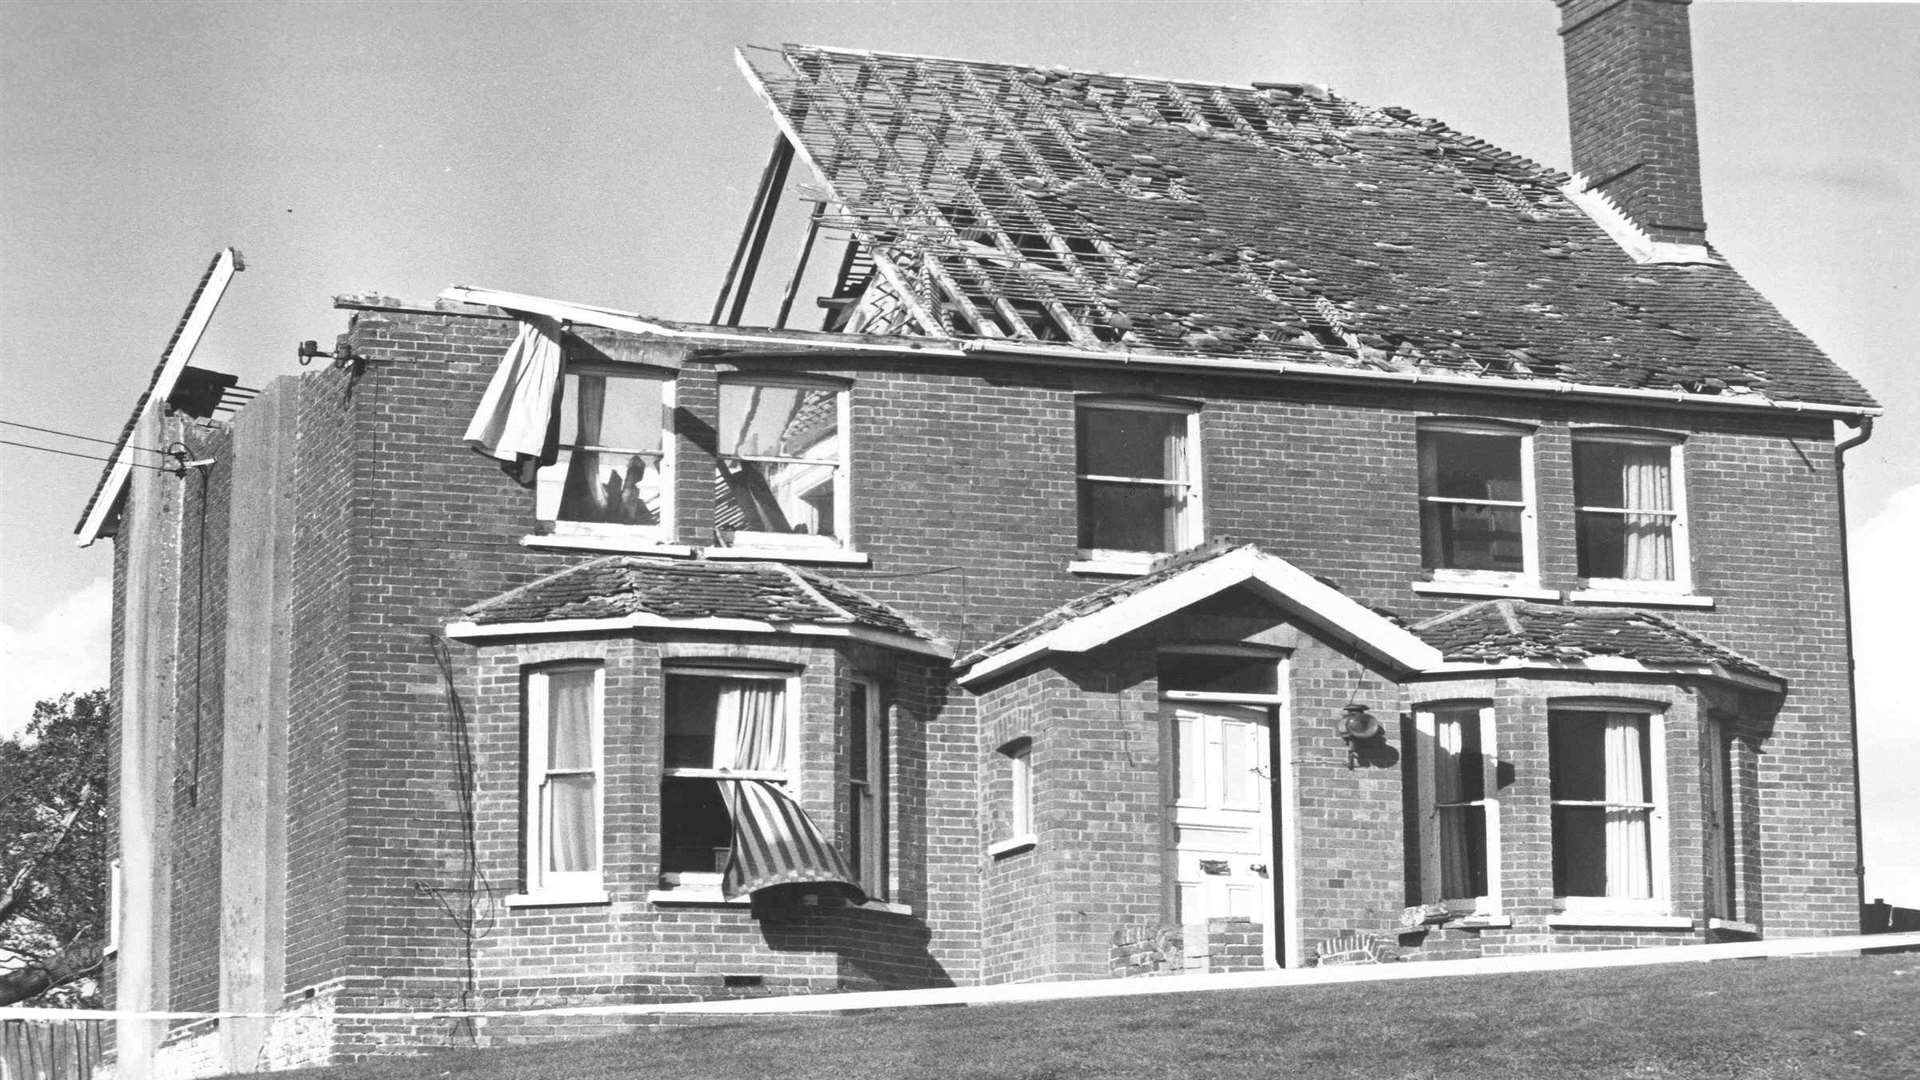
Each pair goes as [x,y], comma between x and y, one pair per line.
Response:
[1477,512]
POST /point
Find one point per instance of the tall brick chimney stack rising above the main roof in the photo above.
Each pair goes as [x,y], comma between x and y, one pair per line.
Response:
[1631,109]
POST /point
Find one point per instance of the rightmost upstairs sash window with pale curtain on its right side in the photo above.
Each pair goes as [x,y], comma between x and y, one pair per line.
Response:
[1627,508]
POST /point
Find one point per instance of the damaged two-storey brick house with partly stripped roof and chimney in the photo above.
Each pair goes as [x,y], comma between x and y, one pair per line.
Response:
[1216,508]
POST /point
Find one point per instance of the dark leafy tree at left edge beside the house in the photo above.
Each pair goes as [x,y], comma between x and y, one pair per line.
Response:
[55,852]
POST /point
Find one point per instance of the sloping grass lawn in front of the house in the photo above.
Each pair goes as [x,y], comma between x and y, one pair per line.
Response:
[1810,1019]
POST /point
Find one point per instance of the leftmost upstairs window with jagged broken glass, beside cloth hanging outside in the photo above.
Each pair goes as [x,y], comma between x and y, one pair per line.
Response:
[615,454]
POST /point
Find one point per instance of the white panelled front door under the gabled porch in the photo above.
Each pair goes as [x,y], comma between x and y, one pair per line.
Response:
[1224,812]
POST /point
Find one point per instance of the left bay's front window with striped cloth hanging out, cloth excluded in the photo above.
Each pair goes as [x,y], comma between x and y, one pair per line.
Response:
[721,725]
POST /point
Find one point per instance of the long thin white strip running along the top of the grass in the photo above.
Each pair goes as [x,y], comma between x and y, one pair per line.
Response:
[1020,993]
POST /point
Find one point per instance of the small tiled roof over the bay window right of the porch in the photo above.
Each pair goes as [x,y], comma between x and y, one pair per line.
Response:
[1510,629]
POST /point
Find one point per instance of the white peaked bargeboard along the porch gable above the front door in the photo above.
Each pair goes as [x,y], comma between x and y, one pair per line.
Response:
[1282,579]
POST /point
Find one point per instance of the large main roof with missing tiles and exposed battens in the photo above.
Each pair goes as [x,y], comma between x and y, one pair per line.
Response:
[1264,222]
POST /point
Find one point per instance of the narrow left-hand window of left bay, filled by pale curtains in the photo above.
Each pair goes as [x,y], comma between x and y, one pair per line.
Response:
[564,779]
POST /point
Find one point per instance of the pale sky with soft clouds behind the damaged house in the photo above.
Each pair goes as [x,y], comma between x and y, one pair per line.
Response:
[608,155]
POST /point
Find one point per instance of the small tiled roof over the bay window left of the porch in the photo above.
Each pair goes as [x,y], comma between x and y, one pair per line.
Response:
[679,589]
